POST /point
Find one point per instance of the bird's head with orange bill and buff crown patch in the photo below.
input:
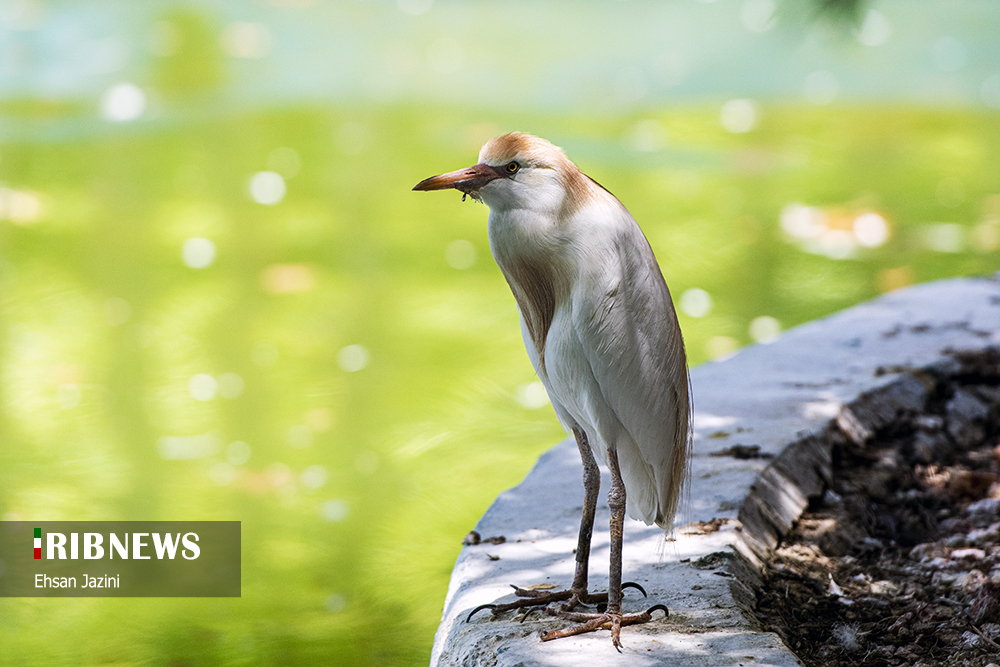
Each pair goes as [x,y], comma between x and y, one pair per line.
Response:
[516,171]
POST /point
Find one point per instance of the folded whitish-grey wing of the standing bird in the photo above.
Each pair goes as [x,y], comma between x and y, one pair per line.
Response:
[628,329]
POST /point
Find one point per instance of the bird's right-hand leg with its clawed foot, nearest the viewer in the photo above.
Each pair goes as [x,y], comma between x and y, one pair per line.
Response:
[612,618]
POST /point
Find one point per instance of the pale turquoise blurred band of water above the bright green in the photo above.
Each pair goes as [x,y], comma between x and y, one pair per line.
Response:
[605,57]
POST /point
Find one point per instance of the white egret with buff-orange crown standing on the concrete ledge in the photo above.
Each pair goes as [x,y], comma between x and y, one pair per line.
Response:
[601,331]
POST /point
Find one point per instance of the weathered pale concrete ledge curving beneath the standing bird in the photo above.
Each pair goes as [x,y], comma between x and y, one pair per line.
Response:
[781,397]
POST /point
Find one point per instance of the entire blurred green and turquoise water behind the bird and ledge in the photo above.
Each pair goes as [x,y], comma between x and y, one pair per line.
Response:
[220,300]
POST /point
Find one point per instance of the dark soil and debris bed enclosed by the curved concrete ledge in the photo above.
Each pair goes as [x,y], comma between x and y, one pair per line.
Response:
[899,562]
